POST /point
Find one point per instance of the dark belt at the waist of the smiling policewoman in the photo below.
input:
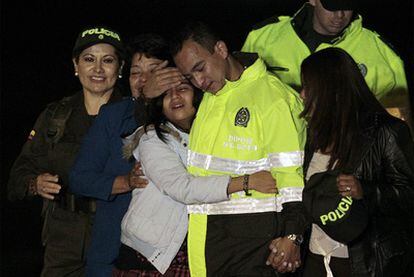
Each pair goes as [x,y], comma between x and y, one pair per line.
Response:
[72,203]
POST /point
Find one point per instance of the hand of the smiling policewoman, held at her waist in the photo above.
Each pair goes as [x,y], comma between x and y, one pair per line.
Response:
[46,185]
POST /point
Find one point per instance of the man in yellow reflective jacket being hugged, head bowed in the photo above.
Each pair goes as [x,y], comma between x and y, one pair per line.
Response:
[248,121]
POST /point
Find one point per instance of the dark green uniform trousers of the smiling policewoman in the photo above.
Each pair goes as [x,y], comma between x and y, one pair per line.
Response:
[66,238]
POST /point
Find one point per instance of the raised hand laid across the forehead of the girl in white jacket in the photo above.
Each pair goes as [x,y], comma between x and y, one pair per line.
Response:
[162,79]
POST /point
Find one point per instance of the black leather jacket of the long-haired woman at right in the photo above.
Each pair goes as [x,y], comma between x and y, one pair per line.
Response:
[385,170]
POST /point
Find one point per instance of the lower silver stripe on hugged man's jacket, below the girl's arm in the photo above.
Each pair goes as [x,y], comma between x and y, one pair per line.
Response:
[238,206]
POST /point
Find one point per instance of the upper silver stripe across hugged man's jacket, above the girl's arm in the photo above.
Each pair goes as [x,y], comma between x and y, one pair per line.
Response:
[209,162]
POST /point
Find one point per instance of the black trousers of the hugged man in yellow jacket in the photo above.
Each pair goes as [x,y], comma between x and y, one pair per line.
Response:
[238,245]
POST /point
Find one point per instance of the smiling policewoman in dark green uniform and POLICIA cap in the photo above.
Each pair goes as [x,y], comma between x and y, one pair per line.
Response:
[41,169]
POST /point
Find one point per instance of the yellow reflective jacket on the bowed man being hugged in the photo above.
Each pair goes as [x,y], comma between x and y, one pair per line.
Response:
[251,124]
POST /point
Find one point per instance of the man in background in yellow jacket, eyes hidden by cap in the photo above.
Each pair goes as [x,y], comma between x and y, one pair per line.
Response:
[284,42]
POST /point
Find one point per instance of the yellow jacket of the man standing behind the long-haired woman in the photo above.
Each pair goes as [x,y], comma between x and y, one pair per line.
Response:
[279,45]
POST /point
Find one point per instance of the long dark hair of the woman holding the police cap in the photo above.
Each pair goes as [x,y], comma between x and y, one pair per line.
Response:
[337,103]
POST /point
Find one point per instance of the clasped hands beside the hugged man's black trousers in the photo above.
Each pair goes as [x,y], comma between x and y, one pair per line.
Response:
[284,255]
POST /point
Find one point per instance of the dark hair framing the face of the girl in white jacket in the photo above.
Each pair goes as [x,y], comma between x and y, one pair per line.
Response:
[155,116]
